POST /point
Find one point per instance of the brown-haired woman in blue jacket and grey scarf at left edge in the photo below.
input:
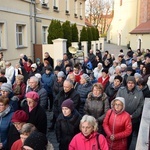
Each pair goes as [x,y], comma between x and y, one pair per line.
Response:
[5,120]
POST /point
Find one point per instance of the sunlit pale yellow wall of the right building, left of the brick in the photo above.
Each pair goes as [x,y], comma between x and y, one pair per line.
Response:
[125,20]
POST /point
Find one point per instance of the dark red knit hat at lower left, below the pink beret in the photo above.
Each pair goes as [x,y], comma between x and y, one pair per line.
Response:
[19,116]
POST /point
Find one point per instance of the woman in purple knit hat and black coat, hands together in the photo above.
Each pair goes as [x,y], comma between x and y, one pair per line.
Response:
[69,118]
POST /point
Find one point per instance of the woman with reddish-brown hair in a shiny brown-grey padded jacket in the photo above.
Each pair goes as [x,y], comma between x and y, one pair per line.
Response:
[97,104]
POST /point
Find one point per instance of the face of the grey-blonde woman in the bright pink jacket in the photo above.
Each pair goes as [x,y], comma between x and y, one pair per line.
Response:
[86,129]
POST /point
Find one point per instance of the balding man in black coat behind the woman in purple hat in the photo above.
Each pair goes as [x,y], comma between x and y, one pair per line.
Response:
[67,92]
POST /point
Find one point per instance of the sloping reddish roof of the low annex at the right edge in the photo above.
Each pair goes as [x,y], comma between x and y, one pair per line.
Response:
[143,28]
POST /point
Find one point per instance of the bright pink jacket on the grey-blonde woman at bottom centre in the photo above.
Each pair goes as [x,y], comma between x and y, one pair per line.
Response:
[80,142]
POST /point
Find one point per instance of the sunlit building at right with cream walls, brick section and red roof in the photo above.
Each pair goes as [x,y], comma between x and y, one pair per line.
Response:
[131,24]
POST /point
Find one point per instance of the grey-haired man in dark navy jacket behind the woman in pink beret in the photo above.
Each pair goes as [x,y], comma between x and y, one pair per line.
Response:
[34,85]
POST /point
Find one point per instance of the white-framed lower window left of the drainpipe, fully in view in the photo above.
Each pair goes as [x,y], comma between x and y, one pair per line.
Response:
[21,35]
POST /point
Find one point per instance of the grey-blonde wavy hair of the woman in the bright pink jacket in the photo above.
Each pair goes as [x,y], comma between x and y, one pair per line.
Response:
[91,120]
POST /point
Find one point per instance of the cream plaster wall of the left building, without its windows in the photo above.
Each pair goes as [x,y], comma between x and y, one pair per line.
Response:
[13,12]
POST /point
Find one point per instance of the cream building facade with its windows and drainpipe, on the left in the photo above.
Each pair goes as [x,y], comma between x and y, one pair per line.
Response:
[24,23]
